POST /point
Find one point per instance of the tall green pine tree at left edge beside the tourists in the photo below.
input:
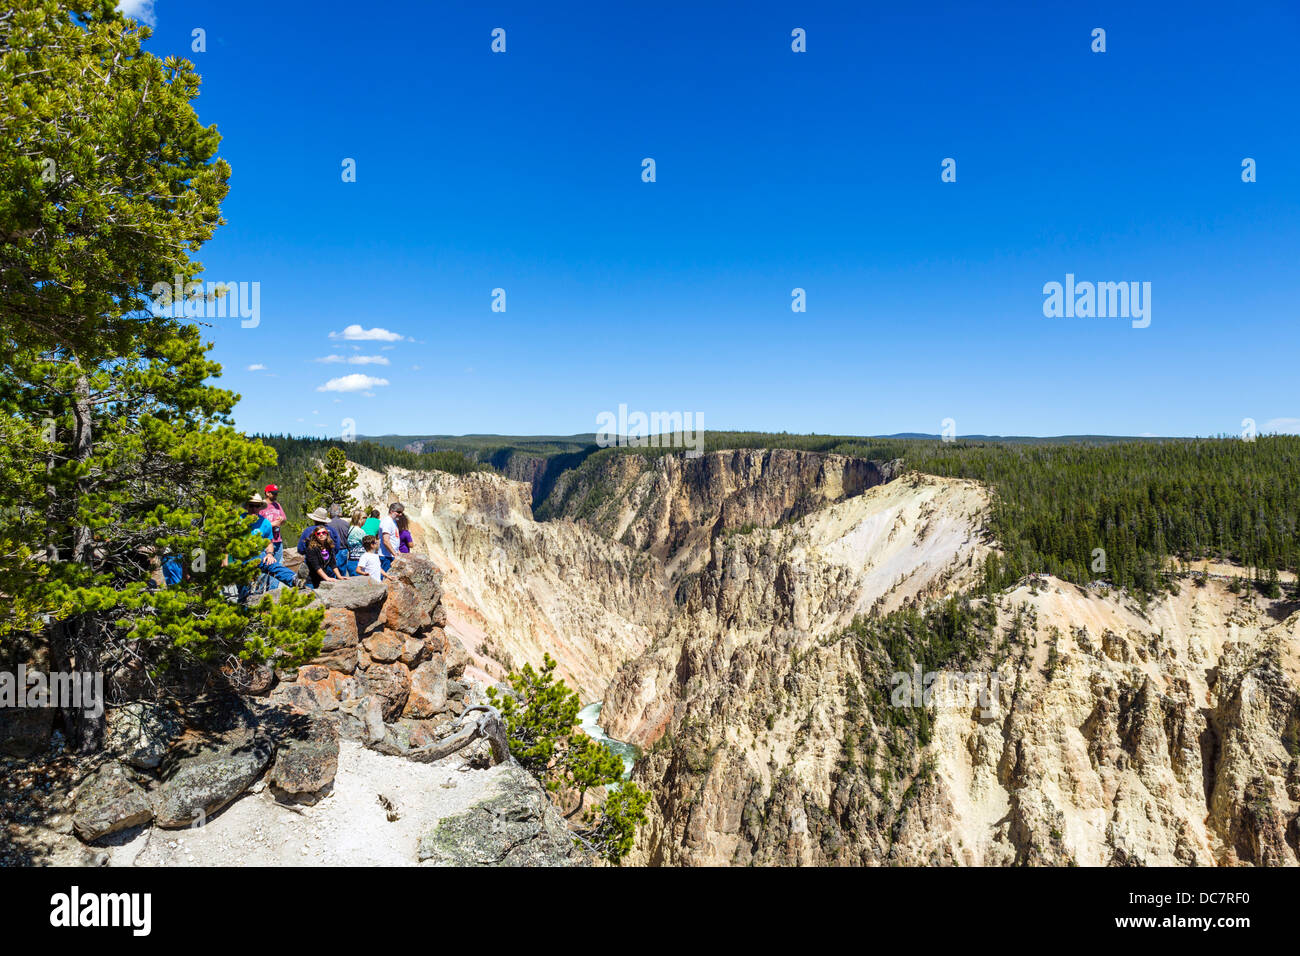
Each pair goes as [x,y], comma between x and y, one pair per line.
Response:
[118,451]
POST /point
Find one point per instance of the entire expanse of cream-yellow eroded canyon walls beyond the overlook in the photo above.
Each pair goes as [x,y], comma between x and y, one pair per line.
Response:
[709,604]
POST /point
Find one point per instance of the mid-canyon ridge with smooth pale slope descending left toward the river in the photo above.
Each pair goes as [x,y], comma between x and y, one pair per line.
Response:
[798,585]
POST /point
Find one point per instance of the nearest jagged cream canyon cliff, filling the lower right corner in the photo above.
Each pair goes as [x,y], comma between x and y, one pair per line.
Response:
[1116,734]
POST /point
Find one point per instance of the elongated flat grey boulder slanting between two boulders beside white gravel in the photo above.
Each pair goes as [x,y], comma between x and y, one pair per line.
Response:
[203,784]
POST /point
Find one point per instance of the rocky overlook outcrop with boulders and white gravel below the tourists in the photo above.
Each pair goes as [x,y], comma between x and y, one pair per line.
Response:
[378,752]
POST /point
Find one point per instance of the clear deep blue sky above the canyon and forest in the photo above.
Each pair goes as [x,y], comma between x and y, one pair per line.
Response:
[775,170]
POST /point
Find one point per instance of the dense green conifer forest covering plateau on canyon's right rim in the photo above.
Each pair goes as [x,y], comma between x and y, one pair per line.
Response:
[1059,501]
